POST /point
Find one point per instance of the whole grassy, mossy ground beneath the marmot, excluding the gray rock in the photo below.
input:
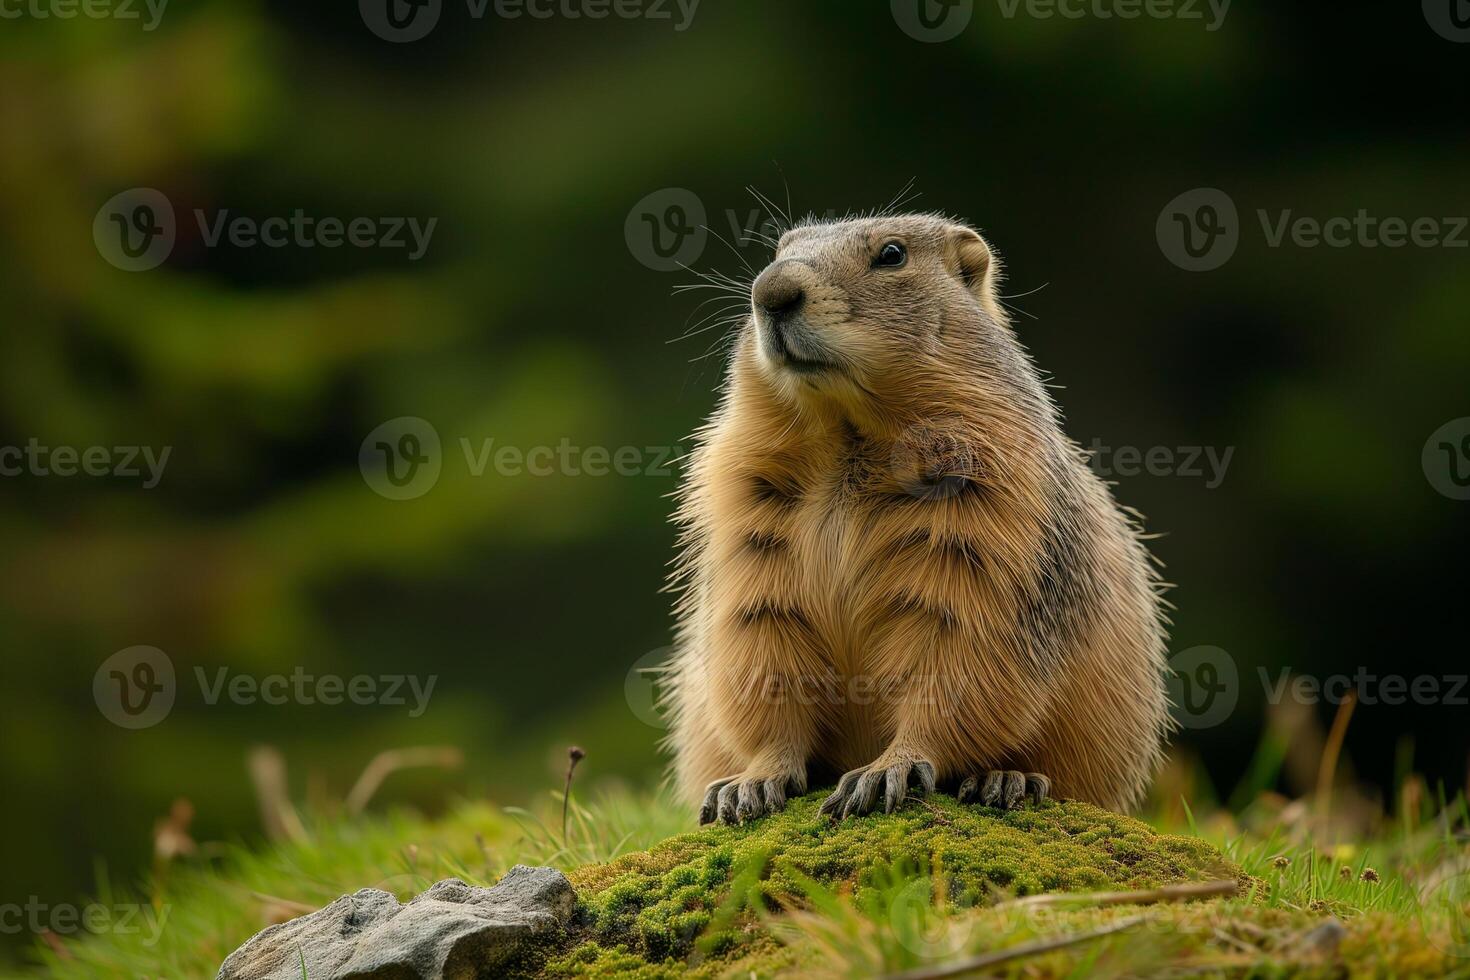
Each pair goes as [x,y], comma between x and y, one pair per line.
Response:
[875,897]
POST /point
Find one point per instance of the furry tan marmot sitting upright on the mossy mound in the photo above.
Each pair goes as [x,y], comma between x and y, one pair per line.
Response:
[894,565]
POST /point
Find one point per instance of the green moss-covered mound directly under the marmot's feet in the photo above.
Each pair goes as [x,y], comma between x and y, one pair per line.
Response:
[646,913]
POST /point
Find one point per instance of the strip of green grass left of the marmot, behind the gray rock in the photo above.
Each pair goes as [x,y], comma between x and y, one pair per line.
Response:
[211,906]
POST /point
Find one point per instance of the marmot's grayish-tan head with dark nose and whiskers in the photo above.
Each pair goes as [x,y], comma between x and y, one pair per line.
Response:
[877,314]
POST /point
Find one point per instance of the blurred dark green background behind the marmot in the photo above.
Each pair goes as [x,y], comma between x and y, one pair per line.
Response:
[530,321]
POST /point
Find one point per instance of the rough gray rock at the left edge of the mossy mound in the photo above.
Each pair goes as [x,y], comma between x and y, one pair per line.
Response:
[453,931]
